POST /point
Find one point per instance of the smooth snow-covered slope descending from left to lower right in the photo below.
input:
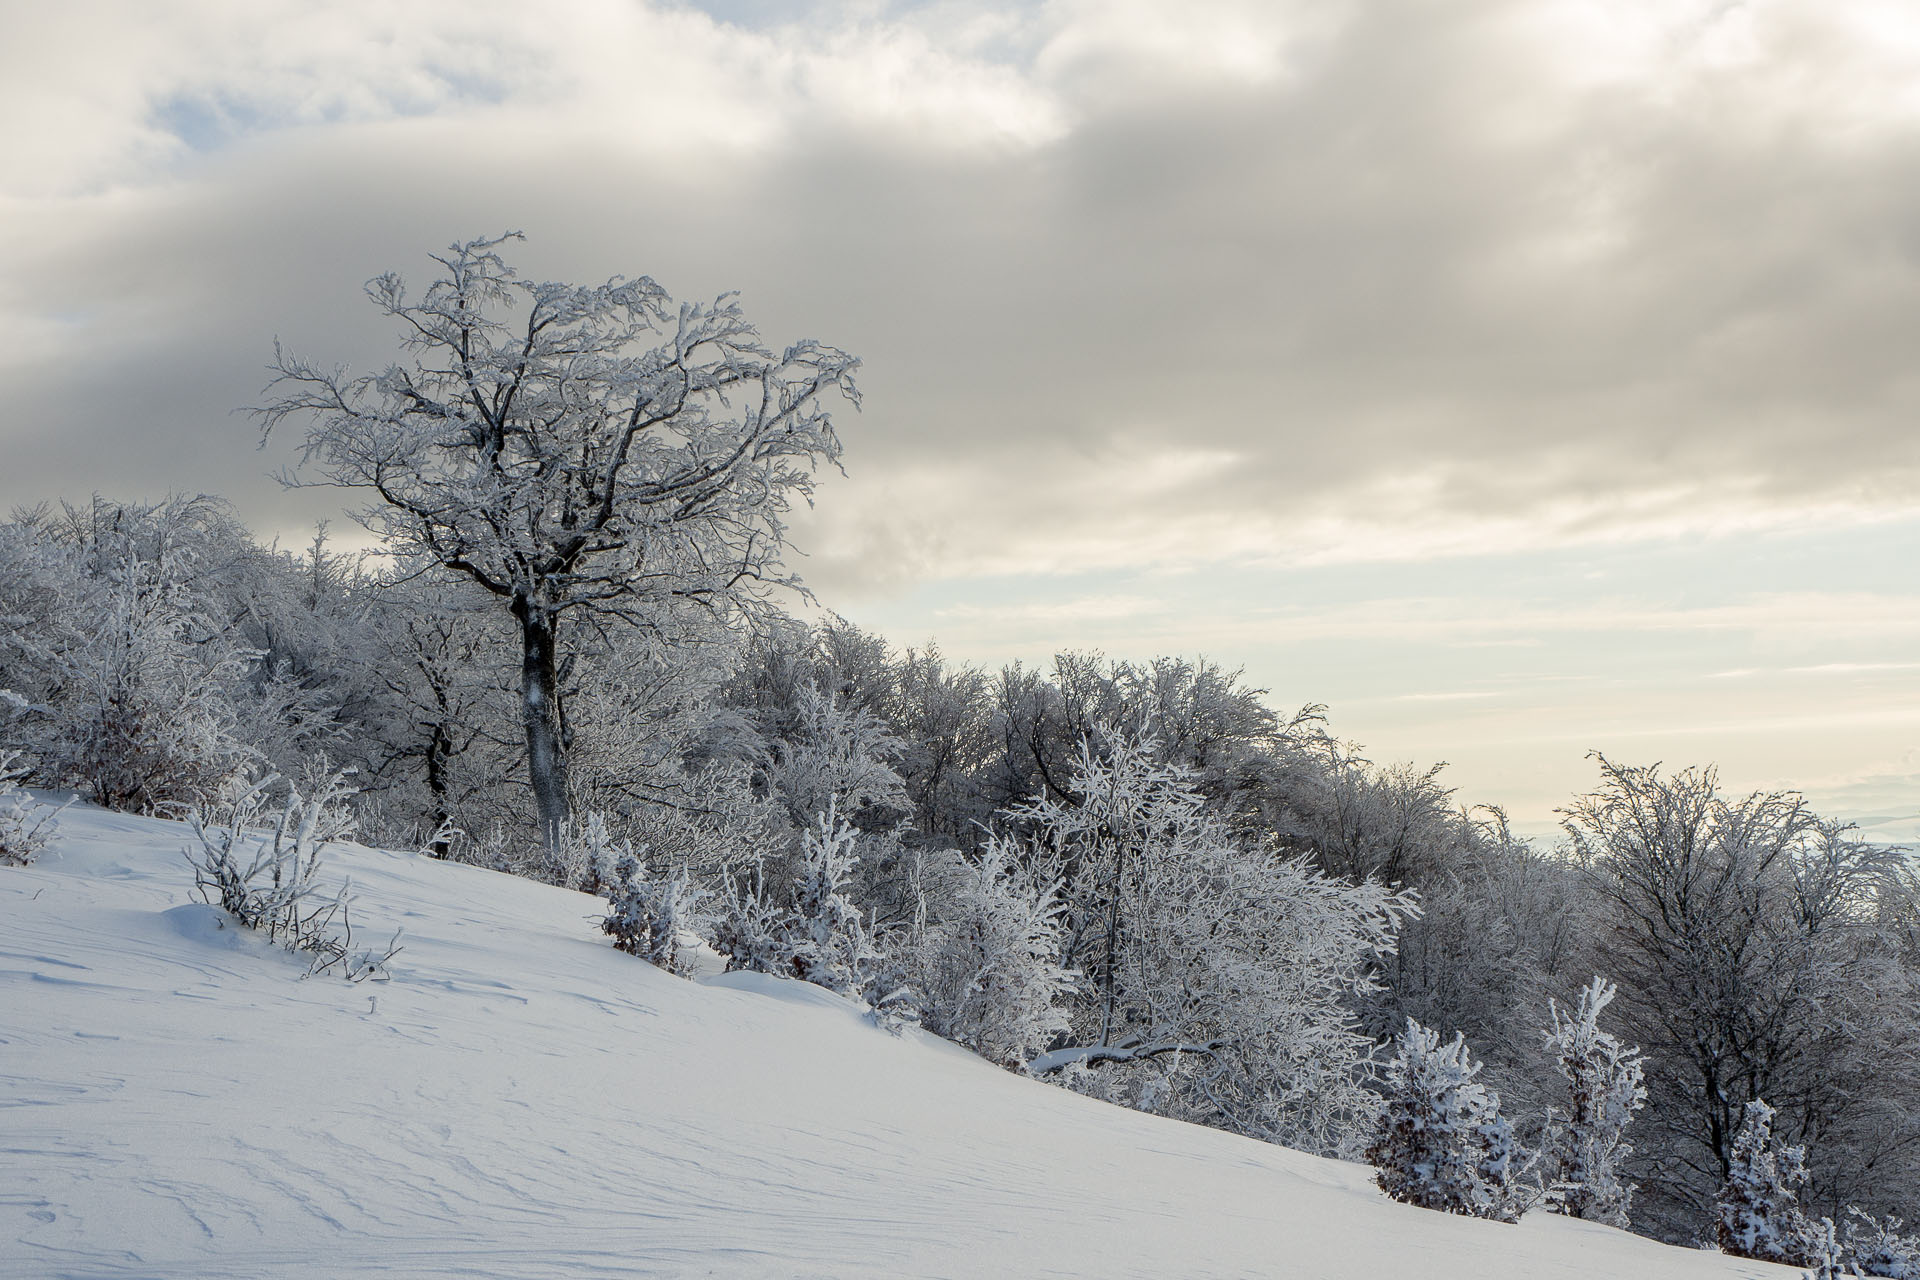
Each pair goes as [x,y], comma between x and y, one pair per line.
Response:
[523,1101]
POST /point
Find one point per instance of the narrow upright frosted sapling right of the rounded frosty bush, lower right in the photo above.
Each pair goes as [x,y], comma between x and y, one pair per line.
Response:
[1587,1143]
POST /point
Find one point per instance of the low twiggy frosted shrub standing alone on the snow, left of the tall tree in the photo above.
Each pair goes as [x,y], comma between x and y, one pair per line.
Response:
[270,882]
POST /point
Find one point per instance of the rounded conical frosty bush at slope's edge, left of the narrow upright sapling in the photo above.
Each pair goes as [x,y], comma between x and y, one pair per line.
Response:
[1443,1143]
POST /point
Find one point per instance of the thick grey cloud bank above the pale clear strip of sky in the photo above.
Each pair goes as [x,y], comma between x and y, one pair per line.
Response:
[1408,281]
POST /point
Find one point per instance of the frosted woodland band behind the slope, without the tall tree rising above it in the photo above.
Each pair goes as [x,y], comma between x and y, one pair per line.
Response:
[1136,878]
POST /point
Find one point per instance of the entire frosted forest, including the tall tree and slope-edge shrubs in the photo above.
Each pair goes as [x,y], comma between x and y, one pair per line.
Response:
[579,653]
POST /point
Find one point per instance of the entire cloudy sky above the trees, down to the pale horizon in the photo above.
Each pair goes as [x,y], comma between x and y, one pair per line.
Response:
[1516,377]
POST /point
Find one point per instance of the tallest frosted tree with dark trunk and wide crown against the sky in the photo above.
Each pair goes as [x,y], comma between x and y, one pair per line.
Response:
[579,452]
